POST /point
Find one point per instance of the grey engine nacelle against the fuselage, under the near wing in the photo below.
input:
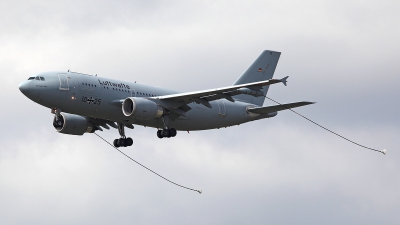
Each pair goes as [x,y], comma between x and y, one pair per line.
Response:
[141,108]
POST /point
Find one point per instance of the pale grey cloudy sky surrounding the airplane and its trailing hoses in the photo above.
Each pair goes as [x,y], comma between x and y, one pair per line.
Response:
[344,55]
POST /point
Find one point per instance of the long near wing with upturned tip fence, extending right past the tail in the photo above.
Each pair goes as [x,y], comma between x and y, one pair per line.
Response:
[203,97]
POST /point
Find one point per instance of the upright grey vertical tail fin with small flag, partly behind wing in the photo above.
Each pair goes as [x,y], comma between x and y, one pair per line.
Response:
[261,69]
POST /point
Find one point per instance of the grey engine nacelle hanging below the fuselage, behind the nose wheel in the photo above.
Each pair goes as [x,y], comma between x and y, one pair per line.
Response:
[72,124]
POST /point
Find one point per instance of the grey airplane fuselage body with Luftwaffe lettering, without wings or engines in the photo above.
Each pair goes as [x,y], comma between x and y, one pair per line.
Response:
[98,97]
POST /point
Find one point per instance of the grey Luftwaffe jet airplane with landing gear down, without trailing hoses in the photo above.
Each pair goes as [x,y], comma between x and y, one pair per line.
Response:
[83,103]
